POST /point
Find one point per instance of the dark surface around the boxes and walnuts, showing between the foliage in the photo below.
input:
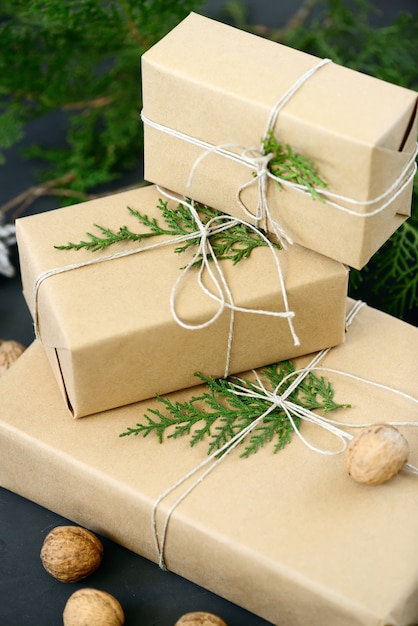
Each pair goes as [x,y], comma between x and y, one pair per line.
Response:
[149,596]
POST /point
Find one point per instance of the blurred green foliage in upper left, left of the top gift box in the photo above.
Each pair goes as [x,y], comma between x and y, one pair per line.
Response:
[81,57]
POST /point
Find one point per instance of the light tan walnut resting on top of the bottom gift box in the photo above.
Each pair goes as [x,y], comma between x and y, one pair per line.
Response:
[376,454]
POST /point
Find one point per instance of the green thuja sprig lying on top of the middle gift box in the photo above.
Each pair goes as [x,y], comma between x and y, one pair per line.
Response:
[234,243]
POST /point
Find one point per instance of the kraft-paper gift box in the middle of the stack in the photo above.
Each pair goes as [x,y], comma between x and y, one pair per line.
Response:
[109,330]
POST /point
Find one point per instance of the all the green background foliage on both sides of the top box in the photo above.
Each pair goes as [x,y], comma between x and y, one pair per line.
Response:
[82,57]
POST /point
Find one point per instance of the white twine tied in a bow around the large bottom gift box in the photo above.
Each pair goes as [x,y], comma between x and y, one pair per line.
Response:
[292,411]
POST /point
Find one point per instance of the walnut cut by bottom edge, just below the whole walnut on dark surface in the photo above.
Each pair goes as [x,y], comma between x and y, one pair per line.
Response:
[90,607]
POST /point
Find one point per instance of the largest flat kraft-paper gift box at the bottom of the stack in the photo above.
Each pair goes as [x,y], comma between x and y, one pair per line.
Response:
[289,536]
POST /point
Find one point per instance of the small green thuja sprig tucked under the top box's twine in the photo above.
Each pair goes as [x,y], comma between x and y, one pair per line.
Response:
[293,167]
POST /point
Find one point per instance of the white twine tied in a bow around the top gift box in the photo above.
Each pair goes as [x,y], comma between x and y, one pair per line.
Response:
[257,160]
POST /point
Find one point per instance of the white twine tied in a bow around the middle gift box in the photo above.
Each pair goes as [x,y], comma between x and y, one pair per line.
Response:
[205,253]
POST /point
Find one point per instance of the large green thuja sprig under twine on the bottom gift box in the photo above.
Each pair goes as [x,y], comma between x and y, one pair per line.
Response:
[218,413]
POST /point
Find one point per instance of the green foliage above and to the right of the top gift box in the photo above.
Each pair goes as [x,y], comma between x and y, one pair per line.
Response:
[331,29]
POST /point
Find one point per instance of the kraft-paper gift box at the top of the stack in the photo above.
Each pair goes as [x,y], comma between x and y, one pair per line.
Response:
[359,131]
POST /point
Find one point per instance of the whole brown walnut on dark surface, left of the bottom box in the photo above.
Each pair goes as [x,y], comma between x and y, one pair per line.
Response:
[71,553]
